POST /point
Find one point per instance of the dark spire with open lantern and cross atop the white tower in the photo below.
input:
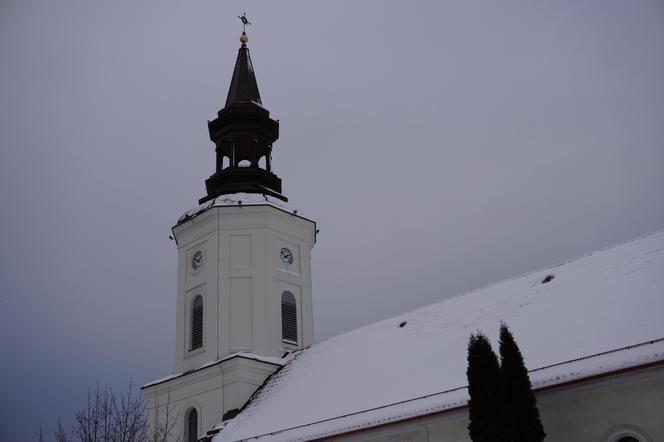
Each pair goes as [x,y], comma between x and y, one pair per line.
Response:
[243,133]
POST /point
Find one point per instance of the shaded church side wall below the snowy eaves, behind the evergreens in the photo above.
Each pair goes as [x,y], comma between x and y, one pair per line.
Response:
[582,412]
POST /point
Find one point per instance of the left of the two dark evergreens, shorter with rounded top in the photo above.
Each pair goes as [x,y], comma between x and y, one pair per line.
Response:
[485,389]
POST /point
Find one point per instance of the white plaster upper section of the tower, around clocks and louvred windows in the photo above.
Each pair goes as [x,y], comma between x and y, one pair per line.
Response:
[242,280]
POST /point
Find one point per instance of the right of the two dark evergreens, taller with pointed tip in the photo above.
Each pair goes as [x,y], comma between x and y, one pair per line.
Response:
[520,405]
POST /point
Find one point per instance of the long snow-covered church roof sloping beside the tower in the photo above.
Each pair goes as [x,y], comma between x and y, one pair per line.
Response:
[594,315]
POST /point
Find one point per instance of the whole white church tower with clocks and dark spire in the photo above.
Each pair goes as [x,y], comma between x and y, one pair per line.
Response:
[244,275]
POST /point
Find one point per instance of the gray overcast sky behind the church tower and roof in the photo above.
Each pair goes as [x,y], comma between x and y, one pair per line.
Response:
[440,146]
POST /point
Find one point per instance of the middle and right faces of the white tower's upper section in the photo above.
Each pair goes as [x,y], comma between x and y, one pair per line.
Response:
[254,283]
